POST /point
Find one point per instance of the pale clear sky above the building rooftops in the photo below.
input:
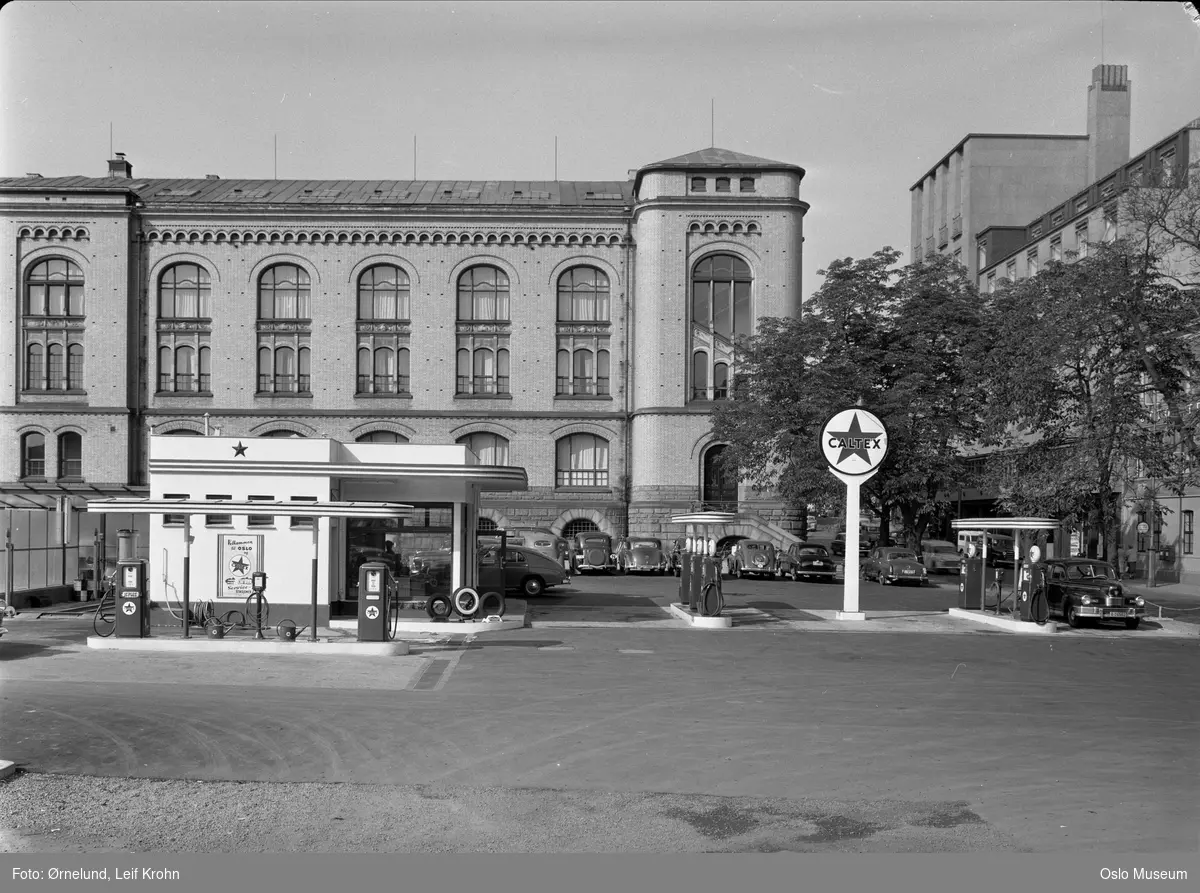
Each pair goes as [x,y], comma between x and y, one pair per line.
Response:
[865,97]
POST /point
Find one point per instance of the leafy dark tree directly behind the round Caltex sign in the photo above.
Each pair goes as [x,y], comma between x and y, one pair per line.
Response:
[895,340]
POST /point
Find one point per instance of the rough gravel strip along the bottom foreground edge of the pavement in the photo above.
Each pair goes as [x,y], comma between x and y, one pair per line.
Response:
[49,813]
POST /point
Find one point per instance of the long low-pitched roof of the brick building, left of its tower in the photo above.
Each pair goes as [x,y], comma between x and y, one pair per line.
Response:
[577,194]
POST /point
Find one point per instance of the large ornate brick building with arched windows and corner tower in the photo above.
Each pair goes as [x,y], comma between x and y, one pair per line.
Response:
[581,331]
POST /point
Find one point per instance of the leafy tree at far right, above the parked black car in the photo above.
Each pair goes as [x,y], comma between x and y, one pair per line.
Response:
[1067,377]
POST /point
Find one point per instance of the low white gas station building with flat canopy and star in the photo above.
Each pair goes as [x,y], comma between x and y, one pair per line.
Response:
[436,490]
